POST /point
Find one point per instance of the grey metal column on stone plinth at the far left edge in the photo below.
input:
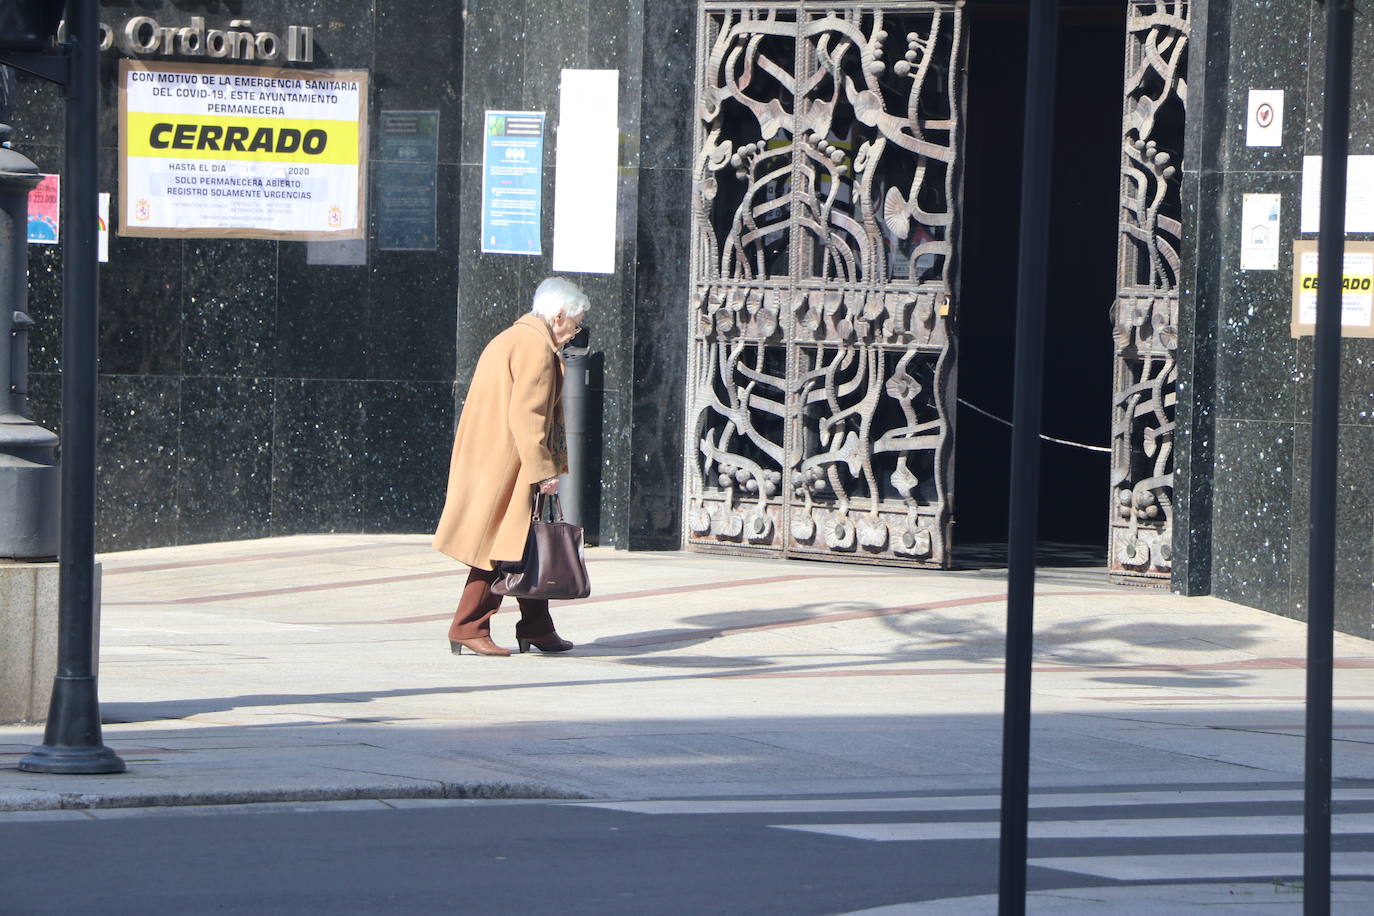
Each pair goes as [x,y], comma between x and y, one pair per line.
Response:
[30,474]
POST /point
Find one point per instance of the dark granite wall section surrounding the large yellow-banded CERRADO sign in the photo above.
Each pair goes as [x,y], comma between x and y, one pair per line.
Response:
[244,391]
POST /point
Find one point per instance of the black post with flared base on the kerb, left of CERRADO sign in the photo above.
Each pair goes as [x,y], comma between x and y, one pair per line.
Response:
[72,742]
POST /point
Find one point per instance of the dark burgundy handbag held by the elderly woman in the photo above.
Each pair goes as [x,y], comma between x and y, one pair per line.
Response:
[553,566]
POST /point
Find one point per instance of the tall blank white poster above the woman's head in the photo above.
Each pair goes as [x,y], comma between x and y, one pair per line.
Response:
[586,172]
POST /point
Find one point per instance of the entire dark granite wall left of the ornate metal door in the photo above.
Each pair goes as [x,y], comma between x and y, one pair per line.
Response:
[249,391]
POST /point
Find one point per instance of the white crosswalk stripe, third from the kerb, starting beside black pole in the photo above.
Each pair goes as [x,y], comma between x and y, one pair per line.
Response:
[1206,866]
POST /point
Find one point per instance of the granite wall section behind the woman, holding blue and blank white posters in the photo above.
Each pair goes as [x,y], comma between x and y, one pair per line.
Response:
[513,56]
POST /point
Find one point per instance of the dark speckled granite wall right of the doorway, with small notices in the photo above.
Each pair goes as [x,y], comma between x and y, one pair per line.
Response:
[1246,384]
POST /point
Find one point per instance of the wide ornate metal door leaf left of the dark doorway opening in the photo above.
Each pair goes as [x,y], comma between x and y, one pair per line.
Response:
[825,255]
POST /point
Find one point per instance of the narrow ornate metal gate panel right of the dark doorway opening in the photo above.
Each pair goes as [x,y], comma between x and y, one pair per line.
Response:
[1145,314]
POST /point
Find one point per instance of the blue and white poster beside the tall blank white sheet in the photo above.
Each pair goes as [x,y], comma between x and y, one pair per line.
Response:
[513,172]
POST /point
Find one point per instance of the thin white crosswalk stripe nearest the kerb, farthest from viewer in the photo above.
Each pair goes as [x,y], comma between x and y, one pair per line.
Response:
[965,803]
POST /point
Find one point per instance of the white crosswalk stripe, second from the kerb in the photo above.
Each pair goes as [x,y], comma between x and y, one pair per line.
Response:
[1141,827]
